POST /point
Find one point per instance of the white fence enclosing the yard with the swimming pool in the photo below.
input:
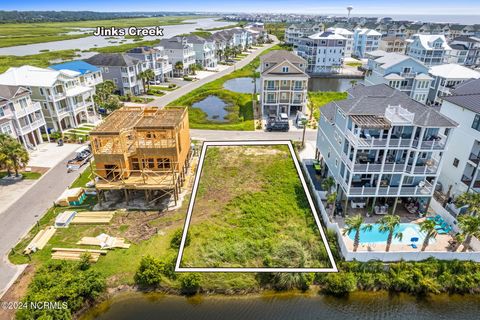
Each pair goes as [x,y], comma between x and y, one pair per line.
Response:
[397,255]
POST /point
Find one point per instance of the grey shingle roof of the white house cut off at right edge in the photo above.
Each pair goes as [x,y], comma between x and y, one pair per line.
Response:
[466,95]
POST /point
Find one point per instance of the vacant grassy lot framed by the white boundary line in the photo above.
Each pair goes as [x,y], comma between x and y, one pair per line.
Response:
[251,211]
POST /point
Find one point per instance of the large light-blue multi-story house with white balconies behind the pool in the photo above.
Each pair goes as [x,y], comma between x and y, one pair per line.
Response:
[381,146]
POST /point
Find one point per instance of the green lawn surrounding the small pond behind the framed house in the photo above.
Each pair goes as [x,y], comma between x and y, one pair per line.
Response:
[240,116]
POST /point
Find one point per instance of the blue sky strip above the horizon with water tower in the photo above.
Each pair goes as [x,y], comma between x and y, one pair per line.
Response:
[387,7]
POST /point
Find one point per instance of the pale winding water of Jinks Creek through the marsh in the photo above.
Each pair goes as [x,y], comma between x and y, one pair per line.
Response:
[93,41]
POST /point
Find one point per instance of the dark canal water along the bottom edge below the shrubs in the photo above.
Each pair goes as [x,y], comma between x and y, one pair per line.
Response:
[359,306]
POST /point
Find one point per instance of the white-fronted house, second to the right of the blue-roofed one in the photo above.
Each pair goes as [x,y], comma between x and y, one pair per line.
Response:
[154,59]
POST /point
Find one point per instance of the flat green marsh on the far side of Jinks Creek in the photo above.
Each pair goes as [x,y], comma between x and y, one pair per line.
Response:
[14,34]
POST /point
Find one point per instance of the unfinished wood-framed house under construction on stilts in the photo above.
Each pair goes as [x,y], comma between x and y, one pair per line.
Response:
[142,148]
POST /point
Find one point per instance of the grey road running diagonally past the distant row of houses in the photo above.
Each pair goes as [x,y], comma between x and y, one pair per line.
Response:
[174,95]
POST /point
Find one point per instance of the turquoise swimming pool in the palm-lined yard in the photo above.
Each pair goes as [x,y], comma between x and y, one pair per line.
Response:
[409,231]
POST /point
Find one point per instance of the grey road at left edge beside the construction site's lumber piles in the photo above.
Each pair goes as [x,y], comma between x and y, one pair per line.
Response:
[23,214]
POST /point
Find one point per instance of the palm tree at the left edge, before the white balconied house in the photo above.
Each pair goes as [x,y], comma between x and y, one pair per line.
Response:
[13,154]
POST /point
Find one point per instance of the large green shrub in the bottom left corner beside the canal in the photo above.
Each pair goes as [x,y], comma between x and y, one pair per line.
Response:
[63,283]
